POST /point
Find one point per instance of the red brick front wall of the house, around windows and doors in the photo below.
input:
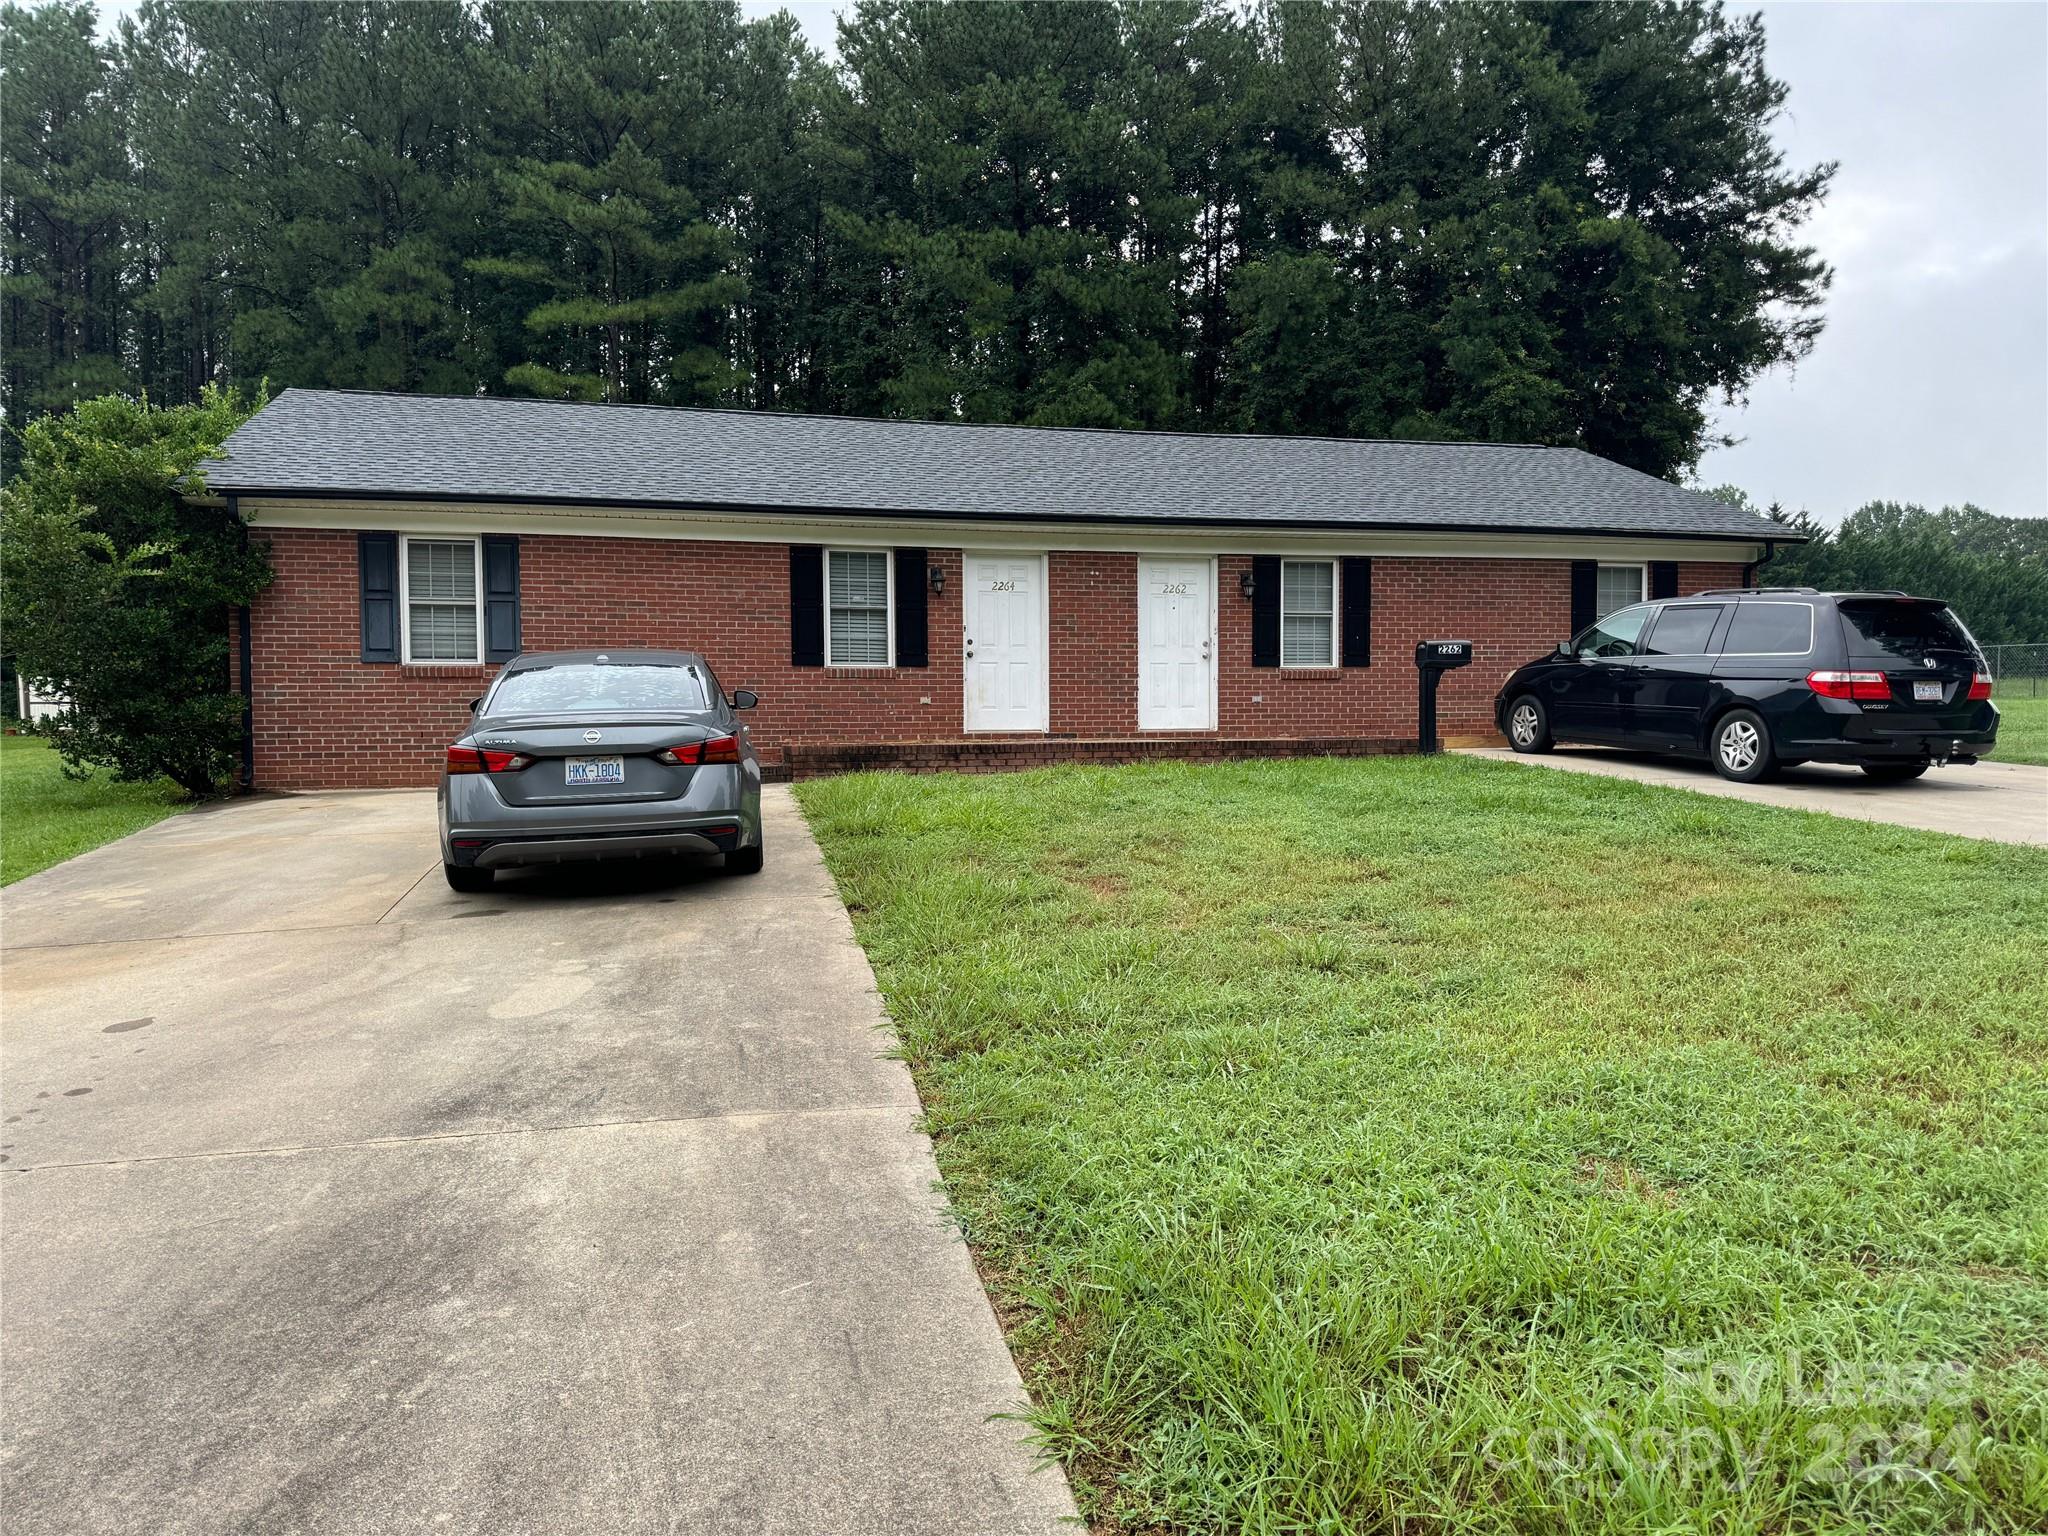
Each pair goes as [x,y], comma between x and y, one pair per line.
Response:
[327,720]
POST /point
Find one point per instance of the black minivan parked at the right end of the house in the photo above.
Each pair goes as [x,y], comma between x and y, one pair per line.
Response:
[1764,679]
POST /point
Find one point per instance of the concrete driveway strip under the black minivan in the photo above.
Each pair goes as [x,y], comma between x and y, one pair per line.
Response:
[2004,802]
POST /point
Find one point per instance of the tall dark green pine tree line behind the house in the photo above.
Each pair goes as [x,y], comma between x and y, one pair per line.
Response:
[1502,222]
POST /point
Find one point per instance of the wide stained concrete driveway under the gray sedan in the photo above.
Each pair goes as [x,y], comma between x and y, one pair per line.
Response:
[341,1203]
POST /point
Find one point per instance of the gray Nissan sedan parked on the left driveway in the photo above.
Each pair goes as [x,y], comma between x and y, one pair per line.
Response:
[601,755]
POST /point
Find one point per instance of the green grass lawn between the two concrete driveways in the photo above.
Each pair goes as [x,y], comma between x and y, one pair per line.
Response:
[1433,1146]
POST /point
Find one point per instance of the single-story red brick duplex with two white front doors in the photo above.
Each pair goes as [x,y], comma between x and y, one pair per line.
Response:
[919,593]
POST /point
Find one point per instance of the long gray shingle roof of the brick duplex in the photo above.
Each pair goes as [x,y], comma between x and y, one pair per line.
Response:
[341,443]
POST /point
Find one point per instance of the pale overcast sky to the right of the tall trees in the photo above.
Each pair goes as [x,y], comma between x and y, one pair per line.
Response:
[1930,382]
